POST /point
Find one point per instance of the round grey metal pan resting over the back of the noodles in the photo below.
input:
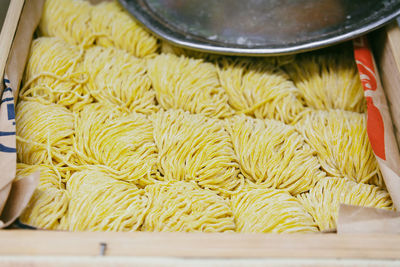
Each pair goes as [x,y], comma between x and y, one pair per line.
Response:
[260,27]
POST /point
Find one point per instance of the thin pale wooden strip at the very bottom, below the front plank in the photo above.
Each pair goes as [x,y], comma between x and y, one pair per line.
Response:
[68,261]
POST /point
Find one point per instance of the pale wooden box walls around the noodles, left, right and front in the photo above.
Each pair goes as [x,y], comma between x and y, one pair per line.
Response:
[386,44]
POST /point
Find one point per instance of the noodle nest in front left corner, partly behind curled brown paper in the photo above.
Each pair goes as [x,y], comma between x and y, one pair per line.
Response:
[49,202]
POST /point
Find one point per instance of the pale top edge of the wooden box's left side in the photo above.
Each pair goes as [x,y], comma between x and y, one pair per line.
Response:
[8,31]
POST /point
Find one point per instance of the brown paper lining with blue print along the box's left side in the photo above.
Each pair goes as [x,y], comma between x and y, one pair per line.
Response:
[14,196]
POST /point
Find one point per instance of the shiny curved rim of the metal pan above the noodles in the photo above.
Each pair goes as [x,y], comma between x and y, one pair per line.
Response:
[143,13]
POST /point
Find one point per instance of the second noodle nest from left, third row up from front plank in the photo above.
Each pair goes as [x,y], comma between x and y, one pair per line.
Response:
[118,78]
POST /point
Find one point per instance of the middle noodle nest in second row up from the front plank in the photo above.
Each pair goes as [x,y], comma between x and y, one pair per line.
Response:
[194,147]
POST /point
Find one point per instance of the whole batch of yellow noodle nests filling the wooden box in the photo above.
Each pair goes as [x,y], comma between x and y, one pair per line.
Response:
[130,133]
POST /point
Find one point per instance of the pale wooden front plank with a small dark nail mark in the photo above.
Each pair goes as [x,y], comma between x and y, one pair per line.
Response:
[53,243]
